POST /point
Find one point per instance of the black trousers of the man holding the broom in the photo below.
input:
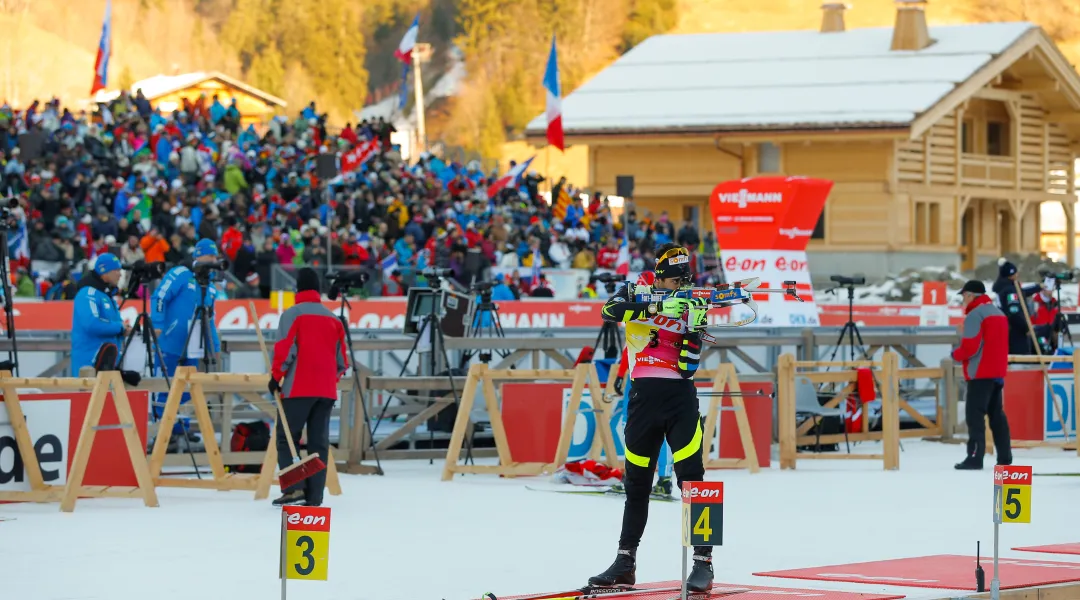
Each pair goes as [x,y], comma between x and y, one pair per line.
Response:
[315,414]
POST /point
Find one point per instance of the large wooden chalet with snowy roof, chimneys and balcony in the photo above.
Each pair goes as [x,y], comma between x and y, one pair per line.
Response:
[942,142]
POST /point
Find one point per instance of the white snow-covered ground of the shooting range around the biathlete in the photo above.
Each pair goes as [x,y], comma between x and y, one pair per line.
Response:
[410,537]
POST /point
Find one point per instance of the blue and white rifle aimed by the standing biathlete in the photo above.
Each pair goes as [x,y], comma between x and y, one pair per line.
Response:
[723,295]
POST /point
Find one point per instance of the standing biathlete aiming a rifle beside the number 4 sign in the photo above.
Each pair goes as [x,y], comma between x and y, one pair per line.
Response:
[664,404]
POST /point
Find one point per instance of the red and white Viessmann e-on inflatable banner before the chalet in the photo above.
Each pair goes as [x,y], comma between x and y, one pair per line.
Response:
[763,226]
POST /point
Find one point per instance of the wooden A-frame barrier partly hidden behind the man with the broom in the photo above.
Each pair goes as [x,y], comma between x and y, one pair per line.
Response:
[197,385]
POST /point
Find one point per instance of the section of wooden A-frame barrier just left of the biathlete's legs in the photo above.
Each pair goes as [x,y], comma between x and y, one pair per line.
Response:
[482,377]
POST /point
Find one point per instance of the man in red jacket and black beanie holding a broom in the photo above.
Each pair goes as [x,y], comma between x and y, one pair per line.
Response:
[310,357]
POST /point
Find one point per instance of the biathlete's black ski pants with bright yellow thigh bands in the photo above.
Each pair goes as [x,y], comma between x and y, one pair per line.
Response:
[658,408]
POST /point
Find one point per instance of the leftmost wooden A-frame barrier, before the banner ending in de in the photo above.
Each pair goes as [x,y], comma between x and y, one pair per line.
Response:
[67,496]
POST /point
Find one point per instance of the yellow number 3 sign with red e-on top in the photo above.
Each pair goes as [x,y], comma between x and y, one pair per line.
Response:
[306,542]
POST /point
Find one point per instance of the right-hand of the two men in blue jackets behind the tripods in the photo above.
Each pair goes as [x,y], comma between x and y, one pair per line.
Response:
[173,311]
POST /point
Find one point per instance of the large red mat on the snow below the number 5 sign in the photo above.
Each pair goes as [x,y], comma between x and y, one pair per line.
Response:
[942,571]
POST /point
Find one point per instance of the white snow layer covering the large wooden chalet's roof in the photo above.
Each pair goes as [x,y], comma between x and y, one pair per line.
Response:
[780,79]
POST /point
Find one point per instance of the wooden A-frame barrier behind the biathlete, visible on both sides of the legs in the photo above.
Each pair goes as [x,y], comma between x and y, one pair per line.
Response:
[725,384]
